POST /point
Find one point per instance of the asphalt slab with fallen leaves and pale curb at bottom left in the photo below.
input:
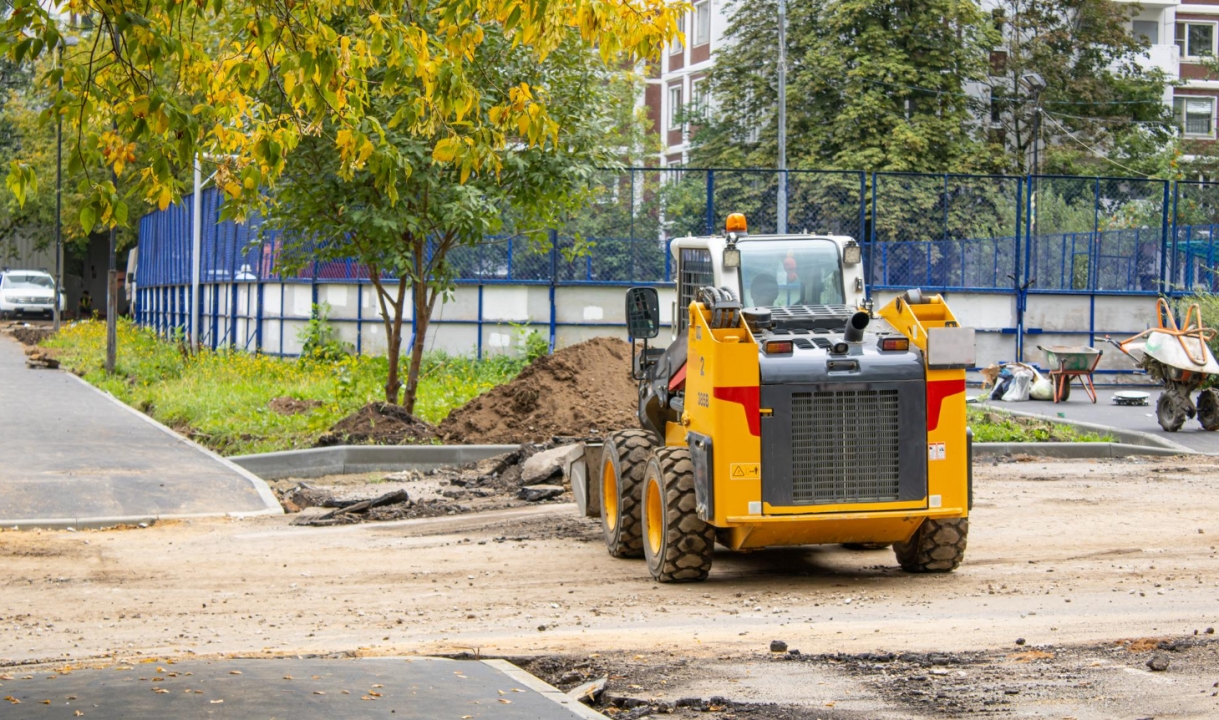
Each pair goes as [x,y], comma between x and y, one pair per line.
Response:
[408,689]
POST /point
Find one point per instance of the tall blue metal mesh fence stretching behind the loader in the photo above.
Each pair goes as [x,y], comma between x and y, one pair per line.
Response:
[1017,236]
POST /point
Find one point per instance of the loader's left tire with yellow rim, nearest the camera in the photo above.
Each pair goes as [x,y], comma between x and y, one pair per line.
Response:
[681,549]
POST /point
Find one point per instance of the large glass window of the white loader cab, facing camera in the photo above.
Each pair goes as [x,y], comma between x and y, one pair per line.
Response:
[783,274]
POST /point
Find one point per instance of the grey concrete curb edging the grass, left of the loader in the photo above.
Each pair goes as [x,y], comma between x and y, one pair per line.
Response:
[364,459]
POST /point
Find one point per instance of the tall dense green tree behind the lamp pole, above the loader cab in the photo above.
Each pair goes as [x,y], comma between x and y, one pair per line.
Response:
[872,85]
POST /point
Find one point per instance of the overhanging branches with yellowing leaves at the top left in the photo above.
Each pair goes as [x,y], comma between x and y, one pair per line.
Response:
[158,82]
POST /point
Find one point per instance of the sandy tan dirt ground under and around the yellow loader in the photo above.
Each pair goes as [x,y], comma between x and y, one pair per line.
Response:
[1072,557]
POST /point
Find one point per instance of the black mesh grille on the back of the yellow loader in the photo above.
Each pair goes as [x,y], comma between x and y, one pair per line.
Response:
[845,446]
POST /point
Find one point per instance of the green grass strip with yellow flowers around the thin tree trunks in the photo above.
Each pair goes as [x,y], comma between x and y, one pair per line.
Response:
[220,399]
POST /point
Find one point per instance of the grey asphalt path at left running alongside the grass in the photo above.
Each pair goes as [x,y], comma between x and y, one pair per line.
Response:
[71,455]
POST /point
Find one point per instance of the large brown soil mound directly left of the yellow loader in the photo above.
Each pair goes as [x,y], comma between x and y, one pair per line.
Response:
[581,390]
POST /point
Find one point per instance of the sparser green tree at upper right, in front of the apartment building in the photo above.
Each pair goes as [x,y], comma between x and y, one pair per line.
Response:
[1104,110]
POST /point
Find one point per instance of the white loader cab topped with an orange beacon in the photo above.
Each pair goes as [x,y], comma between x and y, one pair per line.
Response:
[769,271]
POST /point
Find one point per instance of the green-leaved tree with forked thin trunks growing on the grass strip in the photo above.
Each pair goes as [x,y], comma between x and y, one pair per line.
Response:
[411,244]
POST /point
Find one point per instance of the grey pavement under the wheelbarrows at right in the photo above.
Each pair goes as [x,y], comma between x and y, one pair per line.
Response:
[1105,412]
